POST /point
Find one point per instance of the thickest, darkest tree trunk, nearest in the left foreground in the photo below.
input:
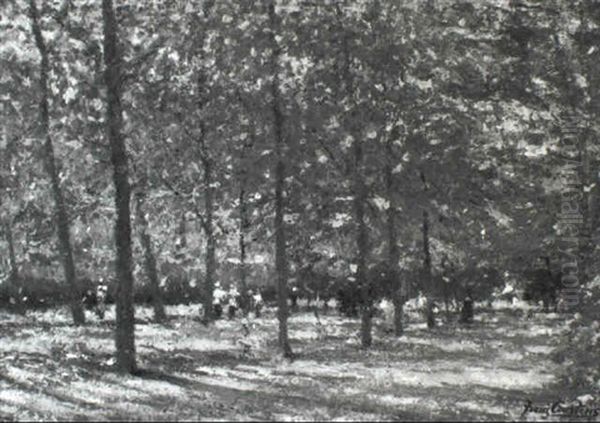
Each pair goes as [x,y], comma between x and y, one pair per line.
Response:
[125,331]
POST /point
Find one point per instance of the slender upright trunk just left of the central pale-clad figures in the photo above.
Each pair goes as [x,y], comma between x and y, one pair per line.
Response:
[210,262]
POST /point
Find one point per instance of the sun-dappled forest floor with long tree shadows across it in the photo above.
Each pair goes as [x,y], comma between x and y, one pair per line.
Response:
[52,370]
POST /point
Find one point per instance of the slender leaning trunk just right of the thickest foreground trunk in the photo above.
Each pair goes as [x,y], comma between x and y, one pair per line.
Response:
[149,261]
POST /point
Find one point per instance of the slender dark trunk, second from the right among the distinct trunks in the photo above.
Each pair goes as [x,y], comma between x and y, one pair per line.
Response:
[393,252]
